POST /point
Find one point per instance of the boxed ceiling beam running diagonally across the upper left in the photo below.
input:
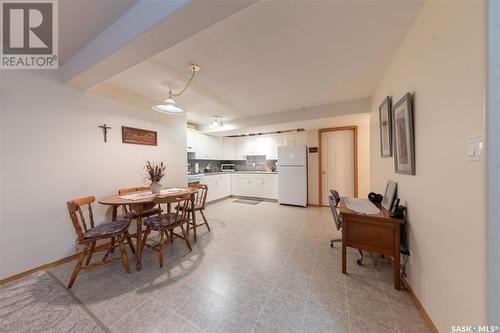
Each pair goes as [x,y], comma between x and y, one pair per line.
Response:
[146,29]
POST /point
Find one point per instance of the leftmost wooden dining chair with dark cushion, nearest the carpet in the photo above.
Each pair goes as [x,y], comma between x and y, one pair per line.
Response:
[89,234]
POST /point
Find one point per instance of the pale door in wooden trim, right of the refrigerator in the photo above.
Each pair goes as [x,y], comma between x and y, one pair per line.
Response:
[337,163]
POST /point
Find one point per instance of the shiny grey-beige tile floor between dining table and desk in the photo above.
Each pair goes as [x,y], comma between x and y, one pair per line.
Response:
[262,268]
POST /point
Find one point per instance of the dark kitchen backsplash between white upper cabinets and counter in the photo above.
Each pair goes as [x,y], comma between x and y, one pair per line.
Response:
[252,163]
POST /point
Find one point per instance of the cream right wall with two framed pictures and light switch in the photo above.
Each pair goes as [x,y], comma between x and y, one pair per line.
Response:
[442,60]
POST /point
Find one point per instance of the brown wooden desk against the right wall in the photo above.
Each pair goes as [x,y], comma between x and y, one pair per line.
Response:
[378,233]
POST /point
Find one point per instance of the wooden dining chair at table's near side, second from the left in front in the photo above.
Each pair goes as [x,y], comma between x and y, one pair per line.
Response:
[165,223]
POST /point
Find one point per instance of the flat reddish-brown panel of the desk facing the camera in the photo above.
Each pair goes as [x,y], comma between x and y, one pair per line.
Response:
[370,234]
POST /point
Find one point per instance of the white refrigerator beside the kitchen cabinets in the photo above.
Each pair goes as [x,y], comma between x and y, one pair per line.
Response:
[292,175]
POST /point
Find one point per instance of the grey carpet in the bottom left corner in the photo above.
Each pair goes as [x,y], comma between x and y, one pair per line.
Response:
[40,303]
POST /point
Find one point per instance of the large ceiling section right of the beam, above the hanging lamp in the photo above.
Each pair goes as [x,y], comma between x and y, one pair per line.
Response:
[278,56]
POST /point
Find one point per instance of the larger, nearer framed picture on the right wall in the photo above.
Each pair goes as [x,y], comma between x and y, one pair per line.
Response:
[404,152]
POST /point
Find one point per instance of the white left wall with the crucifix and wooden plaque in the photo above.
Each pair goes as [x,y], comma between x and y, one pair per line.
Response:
[53,151]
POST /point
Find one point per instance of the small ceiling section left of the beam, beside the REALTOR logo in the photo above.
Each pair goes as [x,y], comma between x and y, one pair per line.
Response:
[80,21]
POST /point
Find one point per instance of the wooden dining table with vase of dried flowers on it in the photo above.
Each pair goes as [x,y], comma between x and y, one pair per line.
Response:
[139,205]
